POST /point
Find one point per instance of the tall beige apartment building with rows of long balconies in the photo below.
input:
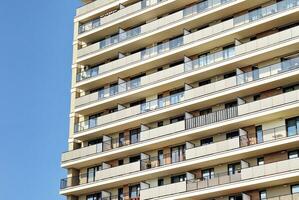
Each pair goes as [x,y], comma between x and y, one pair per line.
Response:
[184,99]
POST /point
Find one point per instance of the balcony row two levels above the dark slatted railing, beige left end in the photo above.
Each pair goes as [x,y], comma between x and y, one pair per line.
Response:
[91,101]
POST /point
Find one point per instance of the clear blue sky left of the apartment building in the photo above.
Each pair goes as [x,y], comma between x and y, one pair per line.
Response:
[35,67]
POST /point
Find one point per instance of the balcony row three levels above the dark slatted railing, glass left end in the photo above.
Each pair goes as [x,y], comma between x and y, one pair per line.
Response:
[232,25]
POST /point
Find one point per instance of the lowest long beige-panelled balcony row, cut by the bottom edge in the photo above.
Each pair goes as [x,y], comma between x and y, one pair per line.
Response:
[200,187]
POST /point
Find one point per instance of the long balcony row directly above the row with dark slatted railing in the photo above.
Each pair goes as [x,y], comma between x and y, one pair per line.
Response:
[210,89]
